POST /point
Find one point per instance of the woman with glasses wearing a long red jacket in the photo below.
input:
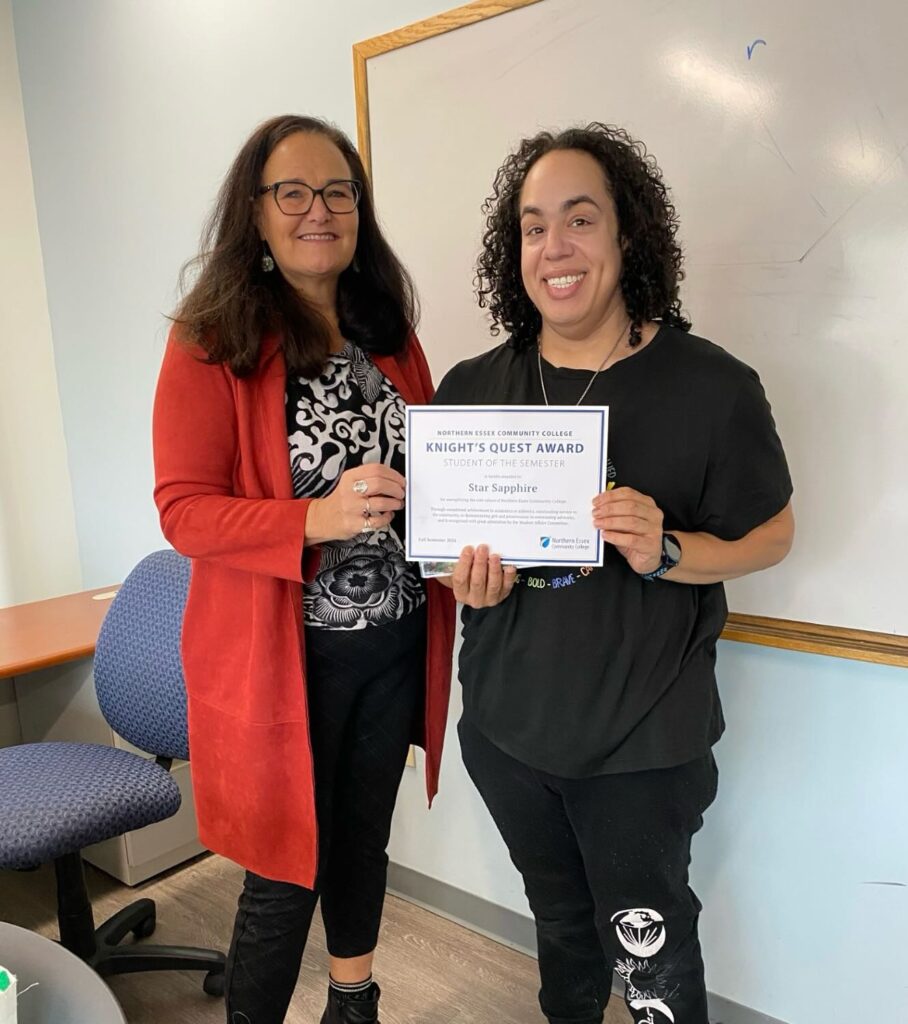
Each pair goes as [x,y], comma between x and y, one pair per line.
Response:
[314,653]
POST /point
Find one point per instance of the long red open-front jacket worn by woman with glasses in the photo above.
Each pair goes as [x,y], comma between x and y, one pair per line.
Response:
[225,494]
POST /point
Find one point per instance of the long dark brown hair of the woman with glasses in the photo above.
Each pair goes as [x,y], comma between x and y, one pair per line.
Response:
[233,304]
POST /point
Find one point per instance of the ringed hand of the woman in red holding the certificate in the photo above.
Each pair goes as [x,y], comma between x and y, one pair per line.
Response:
[343,514]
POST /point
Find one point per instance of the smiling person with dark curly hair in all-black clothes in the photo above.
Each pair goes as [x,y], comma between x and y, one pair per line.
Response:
[590,699]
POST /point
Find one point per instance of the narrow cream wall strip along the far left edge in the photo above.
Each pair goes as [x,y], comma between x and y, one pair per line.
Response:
[38,547]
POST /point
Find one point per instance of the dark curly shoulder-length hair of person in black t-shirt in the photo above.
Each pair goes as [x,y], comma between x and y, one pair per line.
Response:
[653,259]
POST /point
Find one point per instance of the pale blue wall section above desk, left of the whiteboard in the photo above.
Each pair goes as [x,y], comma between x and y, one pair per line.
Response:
[135,112]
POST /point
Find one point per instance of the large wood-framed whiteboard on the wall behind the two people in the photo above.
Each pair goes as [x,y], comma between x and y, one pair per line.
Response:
[789,165]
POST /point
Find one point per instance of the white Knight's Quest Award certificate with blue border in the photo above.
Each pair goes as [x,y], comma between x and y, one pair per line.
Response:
[521,480]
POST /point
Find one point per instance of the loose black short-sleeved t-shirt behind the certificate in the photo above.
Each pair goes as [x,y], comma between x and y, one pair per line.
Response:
[588,672]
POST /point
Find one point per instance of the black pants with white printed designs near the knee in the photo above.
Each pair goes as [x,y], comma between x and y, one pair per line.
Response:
[606,867]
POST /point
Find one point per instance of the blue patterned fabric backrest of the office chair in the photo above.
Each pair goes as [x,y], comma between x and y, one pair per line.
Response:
[139,673]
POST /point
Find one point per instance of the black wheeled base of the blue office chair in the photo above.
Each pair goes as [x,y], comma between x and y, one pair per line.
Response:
[101,947]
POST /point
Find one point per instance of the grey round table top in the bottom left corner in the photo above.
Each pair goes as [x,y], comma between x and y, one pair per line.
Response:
[69,992]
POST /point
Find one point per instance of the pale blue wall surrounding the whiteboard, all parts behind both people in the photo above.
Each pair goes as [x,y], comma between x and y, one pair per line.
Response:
[134,112]
